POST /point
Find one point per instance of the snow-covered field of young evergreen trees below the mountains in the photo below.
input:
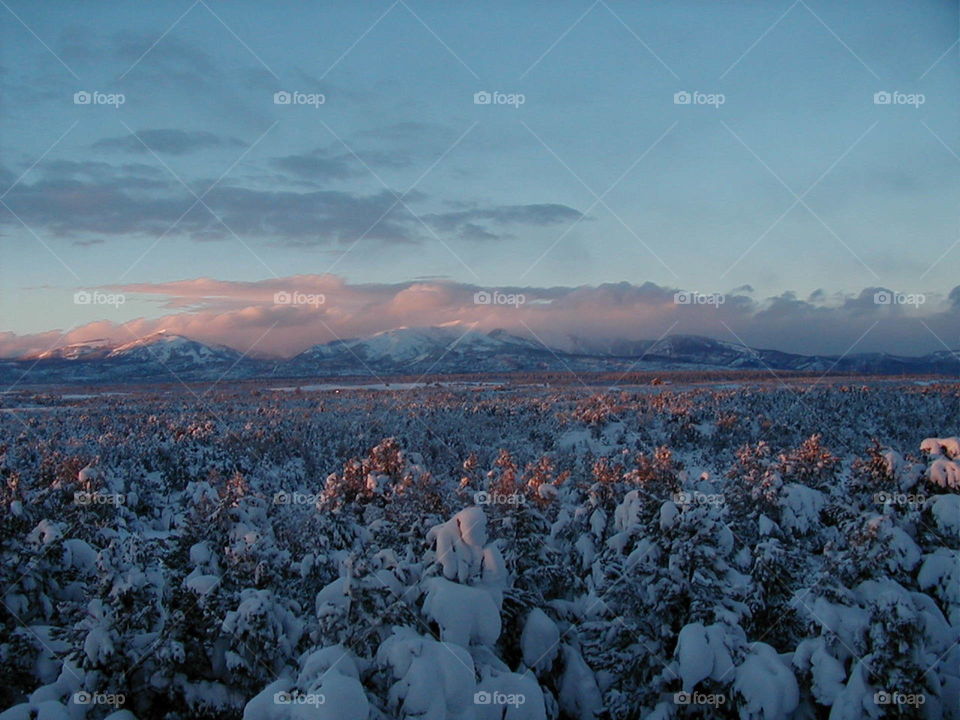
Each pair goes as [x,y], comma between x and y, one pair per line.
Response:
[755,551]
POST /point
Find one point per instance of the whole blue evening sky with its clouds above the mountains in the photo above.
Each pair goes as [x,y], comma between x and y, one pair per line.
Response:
[781,174]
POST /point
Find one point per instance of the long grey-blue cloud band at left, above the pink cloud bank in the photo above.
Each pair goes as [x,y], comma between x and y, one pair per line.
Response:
[74,199]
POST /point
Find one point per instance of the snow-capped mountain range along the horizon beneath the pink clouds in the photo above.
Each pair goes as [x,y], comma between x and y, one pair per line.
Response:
[447,349]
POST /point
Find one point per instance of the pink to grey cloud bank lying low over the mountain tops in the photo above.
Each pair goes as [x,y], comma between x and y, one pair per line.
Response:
[243,315]
